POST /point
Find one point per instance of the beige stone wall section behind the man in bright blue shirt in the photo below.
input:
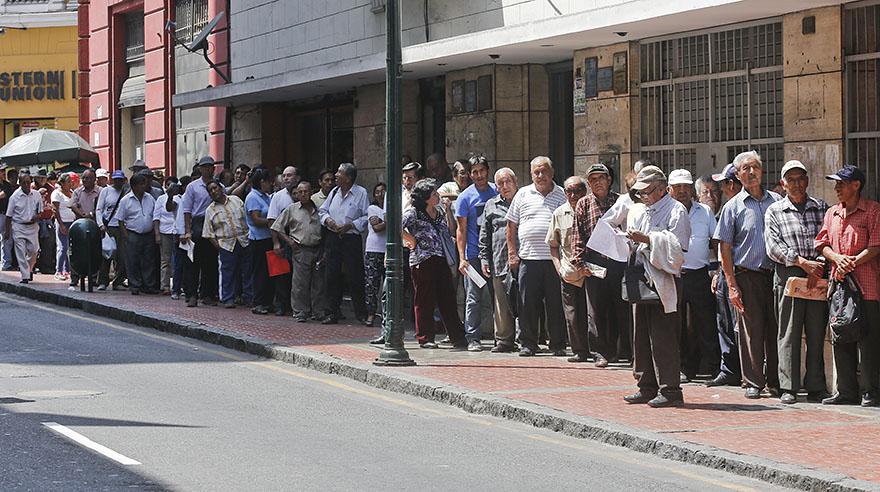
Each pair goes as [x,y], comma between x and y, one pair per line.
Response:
[514,130]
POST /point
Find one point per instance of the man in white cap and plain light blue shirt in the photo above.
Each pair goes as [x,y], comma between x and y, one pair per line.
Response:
[700,353]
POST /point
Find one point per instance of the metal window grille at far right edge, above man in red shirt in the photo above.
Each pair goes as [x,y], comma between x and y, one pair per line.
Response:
[862,49]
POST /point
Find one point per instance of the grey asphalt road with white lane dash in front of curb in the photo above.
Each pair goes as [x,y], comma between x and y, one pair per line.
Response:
[198,417]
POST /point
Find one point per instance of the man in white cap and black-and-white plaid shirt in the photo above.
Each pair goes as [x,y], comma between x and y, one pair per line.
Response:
[790,229]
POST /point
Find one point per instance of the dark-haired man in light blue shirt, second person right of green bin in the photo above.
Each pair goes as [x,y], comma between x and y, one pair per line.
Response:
[136,227]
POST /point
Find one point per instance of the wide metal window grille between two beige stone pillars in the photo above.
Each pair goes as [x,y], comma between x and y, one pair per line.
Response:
[705,94]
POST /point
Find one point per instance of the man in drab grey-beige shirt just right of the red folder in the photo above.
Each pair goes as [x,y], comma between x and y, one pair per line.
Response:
[299,228]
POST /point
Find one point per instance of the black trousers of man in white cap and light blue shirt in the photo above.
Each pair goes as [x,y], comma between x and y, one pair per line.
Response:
[700,353]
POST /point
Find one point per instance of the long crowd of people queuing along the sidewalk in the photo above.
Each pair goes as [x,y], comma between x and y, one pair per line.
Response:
[680,278]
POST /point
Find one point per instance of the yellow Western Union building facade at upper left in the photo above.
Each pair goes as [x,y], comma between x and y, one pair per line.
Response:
[38,67]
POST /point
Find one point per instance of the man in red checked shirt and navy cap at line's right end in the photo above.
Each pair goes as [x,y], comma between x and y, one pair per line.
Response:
[850,240]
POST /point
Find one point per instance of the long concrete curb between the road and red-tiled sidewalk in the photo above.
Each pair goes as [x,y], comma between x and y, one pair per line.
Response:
[657,444]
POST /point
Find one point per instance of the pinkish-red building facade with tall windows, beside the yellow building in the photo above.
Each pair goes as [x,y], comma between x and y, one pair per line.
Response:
[133,57]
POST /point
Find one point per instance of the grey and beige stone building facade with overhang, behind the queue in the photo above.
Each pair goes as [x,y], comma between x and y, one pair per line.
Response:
[685,84]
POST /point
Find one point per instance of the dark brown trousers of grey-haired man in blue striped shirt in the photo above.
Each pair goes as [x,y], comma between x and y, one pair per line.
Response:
[758,331]
